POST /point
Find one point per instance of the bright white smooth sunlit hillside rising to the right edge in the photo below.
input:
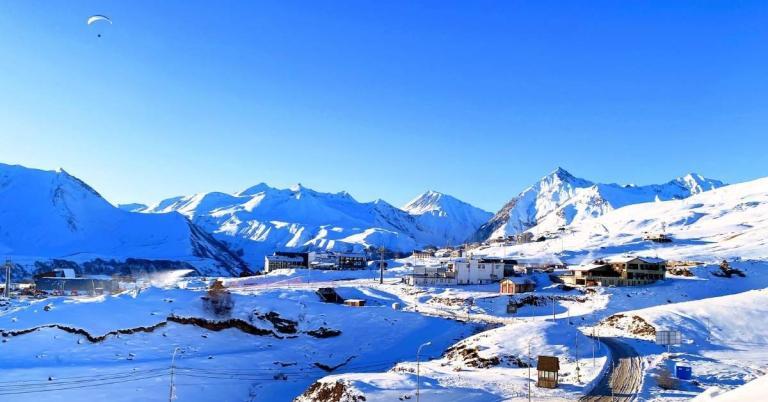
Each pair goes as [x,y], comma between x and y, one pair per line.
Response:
[728,222]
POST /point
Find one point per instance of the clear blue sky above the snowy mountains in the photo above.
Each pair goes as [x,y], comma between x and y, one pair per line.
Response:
[384,99]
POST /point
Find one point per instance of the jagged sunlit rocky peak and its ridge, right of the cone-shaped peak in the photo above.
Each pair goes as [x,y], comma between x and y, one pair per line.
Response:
[560,199]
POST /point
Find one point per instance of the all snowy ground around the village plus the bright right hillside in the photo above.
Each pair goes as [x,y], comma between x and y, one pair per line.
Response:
[280,341]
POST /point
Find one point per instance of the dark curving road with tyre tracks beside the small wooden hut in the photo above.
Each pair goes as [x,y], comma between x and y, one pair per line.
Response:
[621,382]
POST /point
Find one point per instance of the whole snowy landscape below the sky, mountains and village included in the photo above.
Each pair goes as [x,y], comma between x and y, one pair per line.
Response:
[573,290]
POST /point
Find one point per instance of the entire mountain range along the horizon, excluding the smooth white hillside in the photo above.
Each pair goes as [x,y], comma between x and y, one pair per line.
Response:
[52,215]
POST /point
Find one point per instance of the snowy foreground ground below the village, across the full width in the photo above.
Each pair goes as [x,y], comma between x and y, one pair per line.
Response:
[481,361]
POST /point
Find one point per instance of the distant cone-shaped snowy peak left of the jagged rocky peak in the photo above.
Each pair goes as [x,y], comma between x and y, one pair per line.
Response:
[450,220]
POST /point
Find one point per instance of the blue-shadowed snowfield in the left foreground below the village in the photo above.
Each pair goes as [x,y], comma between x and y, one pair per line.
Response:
[213,365]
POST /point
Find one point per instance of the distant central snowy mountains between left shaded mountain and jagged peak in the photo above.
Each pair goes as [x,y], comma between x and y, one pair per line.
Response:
[262,219]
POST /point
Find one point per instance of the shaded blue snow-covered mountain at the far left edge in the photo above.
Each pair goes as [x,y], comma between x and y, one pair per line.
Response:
[46,215]
